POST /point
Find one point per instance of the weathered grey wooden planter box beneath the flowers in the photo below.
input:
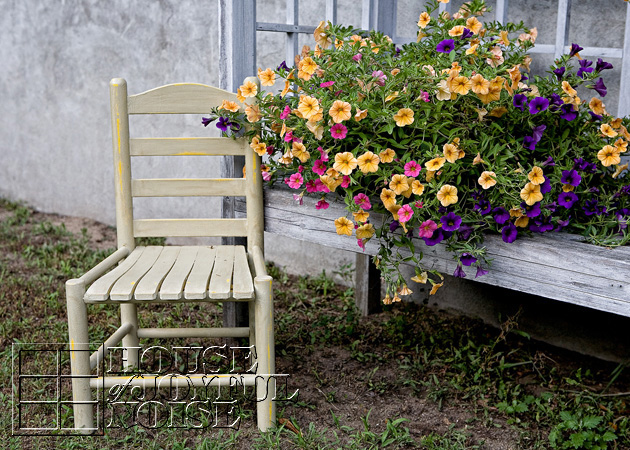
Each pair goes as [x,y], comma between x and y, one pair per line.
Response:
[558,266]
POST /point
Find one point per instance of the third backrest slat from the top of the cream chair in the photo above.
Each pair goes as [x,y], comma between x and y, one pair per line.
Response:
[188,187]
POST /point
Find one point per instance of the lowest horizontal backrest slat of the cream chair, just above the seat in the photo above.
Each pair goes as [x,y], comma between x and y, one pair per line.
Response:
[190,227]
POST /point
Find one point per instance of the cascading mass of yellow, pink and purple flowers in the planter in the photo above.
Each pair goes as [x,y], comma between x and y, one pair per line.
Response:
[443,140]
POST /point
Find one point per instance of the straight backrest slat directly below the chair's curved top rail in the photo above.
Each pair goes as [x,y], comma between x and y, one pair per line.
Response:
[200,146]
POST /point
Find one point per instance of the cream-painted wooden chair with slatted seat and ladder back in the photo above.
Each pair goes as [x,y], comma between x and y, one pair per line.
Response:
[174,274]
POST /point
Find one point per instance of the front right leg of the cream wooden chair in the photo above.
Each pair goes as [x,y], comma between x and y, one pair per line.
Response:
[265,351]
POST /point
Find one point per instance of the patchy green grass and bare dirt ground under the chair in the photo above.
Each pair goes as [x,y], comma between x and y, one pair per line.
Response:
[472,387]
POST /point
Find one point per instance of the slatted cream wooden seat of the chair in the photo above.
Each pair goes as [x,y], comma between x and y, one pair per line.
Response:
[172,273]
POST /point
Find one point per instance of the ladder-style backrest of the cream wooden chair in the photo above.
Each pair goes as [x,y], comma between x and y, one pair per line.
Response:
[185,98]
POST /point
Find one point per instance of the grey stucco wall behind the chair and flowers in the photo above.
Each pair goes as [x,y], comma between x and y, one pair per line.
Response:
[58,57]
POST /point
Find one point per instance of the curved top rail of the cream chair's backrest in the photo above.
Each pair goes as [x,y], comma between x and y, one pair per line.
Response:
[183,98]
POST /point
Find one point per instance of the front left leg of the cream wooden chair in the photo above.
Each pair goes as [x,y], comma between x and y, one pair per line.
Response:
[79,355]
